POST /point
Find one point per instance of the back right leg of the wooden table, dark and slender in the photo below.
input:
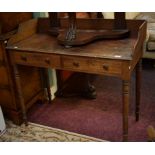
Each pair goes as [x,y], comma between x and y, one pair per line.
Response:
[138,88]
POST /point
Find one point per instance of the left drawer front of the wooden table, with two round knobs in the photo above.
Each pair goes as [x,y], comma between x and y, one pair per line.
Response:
[42,60]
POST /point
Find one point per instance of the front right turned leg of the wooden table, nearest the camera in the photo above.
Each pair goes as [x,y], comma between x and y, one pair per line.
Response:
[125,97]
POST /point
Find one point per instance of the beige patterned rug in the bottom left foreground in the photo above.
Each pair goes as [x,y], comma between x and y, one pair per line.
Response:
[39,133]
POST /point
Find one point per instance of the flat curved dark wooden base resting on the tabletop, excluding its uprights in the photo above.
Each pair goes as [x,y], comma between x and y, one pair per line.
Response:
[87,36]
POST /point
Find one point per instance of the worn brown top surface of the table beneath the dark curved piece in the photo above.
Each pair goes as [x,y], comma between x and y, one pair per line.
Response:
[121,49]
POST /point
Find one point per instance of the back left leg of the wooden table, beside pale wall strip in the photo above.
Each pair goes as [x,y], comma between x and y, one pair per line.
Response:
[47,83]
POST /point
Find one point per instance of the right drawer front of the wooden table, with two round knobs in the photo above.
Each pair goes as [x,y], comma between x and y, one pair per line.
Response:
[92,65]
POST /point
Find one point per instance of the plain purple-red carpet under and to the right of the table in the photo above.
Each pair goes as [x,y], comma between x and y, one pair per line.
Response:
[102,117]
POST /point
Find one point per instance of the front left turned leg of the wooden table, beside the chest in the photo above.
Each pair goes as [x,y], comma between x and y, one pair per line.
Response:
[20,93]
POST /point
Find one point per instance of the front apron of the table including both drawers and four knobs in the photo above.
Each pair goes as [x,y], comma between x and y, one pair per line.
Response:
[92,65]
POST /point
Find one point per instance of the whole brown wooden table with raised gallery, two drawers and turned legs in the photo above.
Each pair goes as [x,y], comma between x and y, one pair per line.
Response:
[33,46]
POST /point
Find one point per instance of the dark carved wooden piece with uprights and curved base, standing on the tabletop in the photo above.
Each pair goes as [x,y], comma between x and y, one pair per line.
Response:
[72,36]
